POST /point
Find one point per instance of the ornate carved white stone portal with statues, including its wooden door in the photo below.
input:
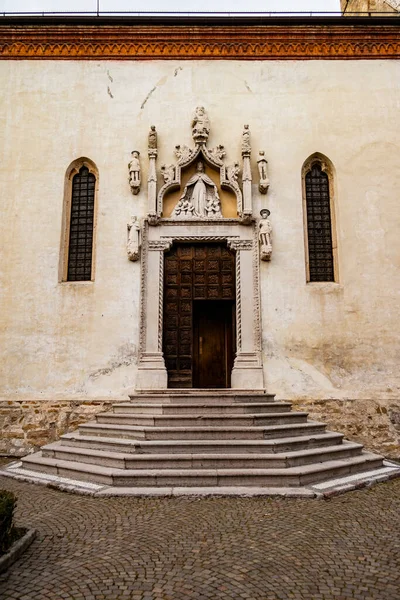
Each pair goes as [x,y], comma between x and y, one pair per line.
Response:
[200,296]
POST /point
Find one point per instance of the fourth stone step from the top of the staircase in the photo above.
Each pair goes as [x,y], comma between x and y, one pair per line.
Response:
[200,433]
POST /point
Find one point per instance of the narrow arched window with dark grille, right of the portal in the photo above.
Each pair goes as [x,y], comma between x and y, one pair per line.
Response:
[319,219]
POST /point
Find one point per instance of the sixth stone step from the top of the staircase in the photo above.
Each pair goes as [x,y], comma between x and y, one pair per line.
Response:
[120,460]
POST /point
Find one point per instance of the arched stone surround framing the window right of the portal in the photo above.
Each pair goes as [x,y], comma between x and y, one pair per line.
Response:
[325,164]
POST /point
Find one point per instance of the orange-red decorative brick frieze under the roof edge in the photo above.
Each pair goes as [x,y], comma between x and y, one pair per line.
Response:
[144,42]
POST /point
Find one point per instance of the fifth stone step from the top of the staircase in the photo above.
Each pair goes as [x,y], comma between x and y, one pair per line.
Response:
[271,446]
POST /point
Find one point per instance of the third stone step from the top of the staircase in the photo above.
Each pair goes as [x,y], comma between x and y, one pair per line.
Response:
[202,420]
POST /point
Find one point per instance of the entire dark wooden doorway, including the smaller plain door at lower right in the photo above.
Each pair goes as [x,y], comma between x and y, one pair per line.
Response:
[199,315]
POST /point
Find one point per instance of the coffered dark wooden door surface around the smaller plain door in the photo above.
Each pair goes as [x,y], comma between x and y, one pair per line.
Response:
[192,272]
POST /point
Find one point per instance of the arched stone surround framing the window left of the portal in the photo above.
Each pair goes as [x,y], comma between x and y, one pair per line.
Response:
[72,170]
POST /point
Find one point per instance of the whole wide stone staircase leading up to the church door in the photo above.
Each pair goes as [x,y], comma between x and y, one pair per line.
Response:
[209,440]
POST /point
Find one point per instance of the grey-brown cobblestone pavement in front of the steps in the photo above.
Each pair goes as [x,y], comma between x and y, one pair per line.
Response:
[210,548]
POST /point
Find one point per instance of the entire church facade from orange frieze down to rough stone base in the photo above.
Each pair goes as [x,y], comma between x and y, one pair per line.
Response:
[200,204]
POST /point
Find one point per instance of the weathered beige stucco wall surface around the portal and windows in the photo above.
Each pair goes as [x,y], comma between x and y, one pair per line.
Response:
[66,340]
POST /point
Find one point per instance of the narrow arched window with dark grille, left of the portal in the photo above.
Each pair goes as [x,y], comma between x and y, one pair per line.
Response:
[79,221]
